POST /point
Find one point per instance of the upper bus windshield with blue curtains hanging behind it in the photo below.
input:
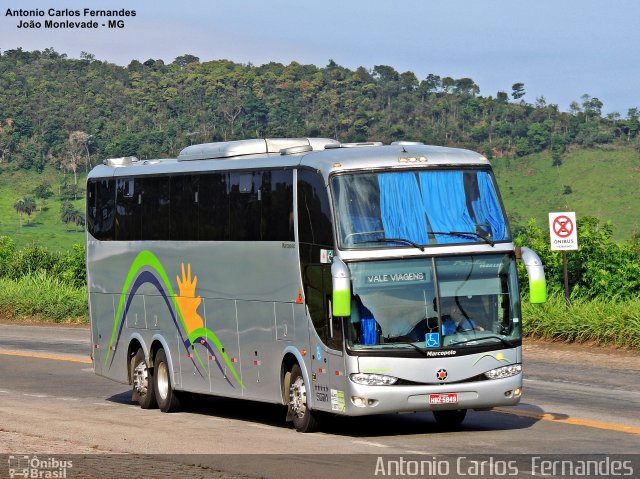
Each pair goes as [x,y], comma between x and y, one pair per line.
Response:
[417,208]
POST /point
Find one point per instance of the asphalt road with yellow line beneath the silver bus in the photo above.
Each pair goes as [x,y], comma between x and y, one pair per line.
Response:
[50,401]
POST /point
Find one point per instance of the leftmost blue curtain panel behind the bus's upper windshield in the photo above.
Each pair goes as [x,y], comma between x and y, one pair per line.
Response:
[401,207]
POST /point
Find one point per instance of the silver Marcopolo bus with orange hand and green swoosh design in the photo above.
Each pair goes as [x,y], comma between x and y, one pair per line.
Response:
[352,279]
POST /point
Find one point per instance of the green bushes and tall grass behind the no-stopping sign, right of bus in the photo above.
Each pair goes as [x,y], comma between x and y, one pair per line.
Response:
[604,278]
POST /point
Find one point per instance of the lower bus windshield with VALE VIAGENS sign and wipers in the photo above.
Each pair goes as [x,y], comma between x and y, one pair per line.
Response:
[452,302]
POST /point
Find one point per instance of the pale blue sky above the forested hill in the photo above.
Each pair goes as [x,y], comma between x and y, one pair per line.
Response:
[560,49]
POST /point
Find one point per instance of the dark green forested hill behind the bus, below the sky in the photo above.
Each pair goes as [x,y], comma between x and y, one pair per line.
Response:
[69,111]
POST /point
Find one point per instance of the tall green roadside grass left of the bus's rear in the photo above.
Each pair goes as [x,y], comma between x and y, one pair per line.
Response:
[38,297]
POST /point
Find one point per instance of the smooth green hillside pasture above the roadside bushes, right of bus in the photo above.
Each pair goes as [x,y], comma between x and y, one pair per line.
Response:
[604,182]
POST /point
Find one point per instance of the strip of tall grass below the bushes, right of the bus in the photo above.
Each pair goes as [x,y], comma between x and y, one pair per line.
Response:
[605,322]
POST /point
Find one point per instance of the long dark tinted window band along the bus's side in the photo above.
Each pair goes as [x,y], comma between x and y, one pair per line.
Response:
[228,206]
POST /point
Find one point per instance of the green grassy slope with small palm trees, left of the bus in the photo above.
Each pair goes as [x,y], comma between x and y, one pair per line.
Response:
[44,227]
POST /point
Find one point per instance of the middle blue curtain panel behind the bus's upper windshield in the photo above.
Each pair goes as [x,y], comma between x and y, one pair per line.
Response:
[445,201]
